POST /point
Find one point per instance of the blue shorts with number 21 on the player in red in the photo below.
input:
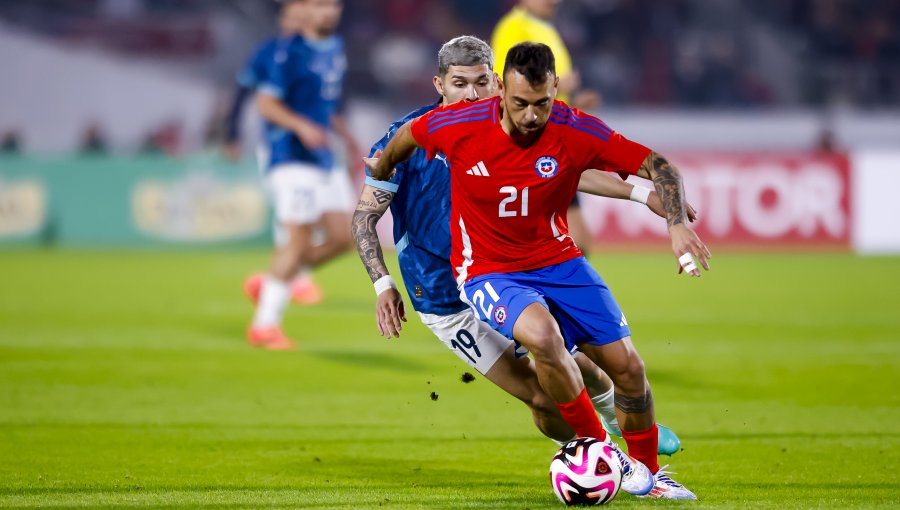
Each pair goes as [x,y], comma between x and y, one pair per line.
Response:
[572,291]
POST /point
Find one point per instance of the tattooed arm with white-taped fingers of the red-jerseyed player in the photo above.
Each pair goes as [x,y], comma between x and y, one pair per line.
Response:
[685,242]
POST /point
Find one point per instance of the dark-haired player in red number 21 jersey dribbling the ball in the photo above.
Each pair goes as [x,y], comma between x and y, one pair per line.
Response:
[515,164]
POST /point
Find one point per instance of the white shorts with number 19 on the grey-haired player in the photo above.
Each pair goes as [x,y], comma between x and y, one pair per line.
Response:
[473,340]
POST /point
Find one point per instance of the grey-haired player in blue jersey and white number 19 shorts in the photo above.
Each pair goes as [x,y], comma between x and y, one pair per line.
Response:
[422,237]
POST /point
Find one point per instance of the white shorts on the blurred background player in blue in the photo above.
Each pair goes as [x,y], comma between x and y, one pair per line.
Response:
[302,193]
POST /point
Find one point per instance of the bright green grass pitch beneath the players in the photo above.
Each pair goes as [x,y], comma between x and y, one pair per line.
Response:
[125,381]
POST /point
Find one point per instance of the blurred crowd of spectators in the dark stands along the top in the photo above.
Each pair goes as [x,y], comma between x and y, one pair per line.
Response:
[670,53]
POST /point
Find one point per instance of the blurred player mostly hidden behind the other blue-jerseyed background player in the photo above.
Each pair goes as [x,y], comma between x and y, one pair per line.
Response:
[256,72]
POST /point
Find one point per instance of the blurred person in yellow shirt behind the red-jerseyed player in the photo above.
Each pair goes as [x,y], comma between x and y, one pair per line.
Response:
[532,20]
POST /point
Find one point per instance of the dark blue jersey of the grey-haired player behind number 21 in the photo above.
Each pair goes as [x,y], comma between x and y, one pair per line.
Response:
[421,211]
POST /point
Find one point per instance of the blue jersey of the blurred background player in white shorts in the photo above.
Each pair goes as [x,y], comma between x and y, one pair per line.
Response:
[308,76]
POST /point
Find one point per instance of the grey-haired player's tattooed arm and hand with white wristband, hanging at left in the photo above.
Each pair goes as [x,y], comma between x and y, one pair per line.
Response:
[389,308]
